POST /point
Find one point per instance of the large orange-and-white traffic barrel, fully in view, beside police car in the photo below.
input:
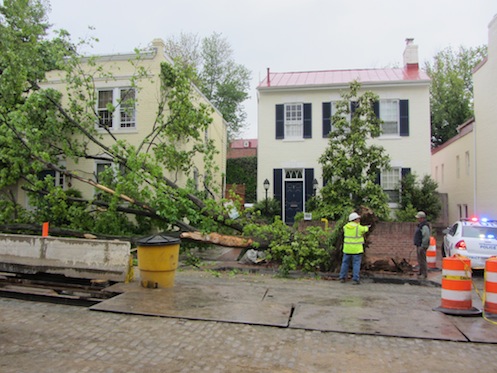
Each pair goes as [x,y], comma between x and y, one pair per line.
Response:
[456,287]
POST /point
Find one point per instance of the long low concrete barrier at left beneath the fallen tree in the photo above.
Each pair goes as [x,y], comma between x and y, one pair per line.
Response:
[80,258]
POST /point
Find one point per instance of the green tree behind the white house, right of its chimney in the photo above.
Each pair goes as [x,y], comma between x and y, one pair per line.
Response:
[451,91]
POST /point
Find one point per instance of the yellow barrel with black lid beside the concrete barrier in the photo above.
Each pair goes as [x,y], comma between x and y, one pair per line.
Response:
[158,260]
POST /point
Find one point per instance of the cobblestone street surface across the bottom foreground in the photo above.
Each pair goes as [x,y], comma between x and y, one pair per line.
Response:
[43,337]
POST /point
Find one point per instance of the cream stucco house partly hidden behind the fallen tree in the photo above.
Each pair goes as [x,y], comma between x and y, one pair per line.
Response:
[132,124]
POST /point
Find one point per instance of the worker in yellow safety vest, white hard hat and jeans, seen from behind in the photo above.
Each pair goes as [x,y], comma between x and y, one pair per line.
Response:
[353,247]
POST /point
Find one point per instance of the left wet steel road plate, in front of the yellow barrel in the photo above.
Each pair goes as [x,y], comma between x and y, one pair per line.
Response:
[212,303]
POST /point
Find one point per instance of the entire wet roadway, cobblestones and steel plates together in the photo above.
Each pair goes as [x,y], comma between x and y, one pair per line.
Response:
[229,321]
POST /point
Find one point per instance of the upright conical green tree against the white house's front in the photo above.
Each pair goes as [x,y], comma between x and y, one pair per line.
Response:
[350,165]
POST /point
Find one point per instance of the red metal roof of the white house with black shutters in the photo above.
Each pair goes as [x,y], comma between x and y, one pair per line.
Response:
[341,77]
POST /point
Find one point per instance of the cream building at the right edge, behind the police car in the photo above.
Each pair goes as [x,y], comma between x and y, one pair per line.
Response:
[464,167]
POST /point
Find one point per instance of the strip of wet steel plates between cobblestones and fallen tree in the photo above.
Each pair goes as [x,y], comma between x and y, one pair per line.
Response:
[374,307]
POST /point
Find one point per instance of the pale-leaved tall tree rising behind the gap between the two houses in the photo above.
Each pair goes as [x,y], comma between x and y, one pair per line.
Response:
[223,81]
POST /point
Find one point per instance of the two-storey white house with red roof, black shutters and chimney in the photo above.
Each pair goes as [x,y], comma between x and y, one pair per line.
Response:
[294,119]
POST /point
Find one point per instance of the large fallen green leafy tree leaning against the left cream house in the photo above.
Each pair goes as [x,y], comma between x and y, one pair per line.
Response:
[42,128]
